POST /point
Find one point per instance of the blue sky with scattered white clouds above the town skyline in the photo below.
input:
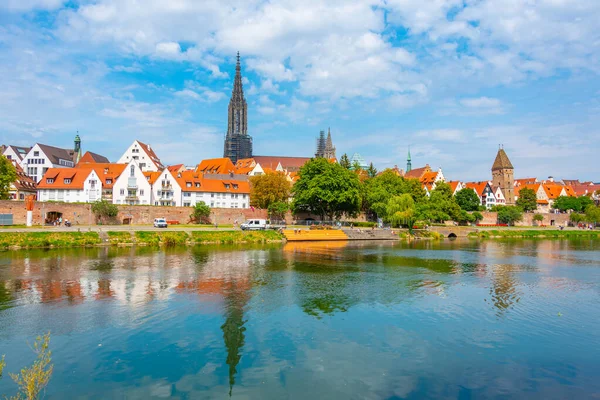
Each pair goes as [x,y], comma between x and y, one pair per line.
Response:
[452,79]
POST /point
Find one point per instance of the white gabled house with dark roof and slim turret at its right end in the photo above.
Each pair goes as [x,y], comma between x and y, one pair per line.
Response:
[41,158]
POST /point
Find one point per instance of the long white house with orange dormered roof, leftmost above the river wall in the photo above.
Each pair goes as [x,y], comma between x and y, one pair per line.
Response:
[70,185]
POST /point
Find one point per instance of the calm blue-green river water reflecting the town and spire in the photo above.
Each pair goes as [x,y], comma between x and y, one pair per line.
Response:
[440,320]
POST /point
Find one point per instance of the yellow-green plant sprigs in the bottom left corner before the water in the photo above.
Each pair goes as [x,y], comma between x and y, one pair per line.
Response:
[32,380]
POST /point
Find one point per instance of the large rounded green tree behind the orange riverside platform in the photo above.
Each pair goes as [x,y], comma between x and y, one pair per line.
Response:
[326,189]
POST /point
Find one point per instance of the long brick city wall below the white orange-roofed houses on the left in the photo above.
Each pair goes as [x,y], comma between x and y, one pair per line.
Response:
[81,213]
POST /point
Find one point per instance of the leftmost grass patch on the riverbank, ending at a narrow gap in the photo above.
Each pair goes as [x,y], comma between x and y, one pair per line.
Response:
[30,240]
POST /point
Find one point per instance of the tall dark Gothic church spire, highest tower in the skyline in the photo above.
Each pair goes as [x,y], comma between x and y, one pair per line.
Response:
[238,144]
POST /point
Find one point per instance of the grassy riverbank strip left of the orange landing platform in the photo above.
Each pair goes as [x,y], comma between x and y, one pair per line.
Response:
[32,240]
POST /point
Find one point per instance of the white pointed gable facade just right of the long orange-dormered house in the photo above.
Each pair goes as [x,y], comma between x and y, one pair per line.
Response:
[132,186]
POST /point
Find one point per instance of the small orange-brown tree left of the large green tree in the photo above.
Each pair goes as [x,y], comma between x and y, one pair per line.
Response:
[268,189]
